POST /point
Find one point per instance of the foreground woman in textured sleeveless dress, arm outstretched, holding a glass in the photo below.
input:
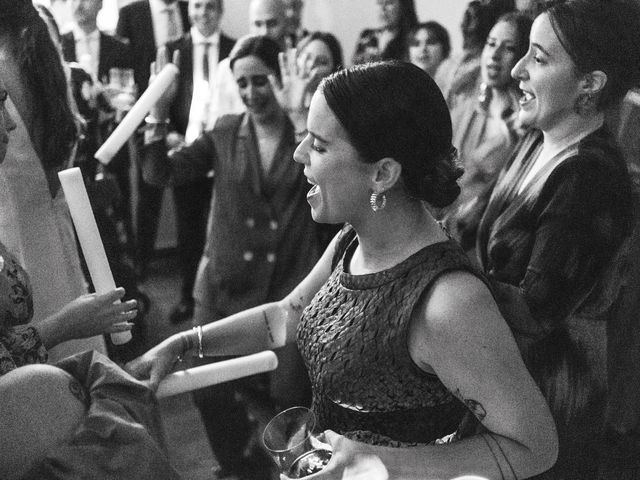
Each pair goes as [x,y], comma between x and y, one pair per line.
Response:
[399,335]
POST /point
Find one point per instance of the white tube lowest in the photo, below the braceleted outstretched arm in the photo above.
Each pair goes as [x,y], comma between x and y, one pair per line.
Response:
[214,373]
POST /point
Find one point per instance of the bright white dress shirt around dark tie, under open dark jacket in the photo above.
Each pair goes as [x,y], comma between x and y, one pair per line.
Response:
[202,87]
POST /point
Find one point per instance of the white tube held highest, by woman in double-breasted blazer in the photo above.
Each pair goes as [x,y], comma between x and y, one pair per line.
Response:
[136,115]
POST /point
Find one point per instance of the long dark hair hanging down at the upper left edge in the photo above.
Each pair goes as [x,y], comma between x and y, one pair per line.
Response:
[42,70]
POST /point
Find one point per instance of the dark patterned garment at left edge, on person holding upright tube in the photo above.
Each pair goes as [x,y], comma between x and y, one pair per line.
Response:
[20,343]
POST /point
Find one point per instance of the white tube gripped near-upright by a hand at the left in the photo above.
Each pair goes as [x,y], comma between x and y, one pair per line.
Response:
[89,237]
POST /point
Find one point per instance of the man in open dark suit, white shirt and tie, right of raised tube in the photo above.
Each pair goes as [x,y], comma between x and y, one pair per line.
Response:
[200,51]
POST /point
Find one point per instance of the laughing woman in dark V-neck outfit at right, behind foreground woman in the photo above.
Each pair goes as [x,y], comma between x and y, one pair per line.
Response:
[560,212]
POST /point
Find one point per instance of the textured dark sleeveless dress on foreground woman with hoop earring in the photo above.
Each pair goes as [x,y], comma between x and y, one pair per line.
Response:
[353,339]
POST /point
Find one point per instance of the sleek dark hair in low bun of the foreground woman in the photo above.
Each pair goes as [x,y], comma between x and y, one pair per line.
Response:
[394,109]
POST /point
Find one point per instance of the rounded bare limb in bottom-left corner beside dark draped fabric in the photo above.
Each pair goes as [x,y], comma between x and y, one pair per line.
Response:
[40,407]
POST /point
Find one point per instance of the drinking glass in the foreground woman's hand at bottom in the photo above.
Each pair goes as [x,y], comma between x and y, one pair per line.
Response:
[288,437]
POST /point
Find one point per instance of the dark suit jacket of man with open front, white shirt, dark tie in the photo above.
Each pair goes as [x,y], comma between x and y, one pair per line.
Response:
[181,106]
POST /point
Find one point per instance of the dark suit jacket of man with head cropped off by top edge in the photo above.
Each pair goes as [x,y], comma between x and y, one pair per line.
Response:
[135,25]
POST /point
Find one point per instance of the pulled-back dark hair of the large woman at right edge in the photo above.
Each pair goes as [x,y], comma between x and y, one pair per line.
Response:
[601,35]
